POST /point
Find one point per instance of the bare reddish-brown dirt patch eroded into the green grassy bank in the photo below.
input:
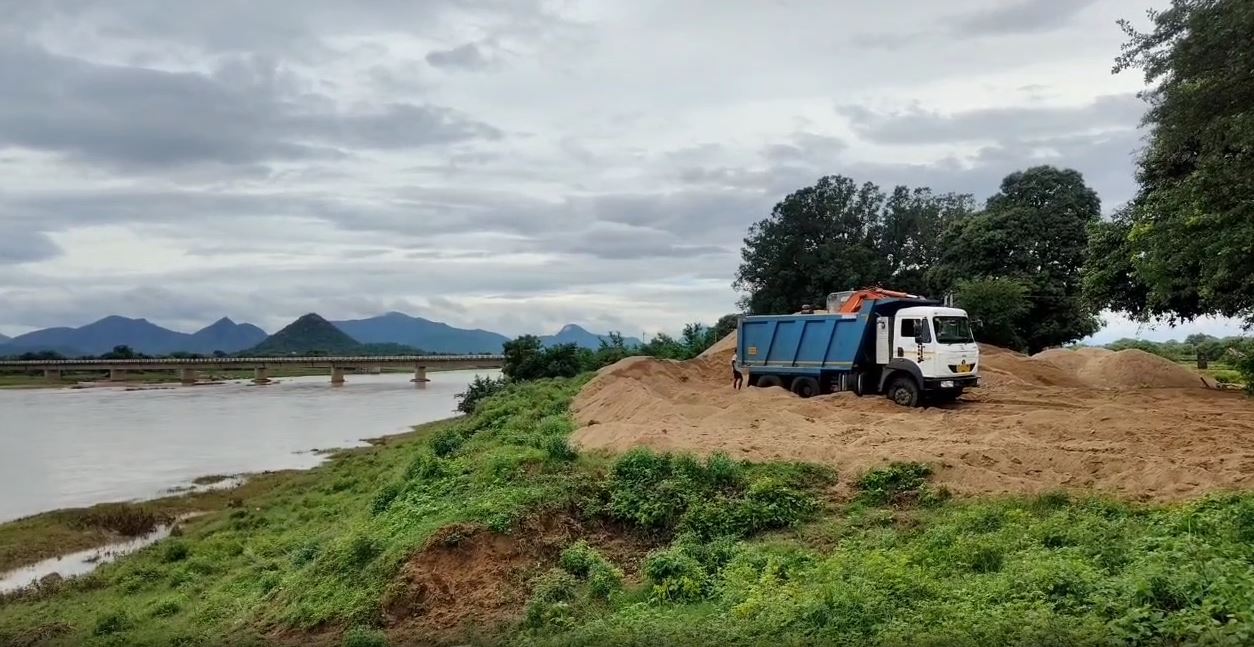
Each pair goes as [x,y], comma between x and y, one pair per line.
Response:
[468,580]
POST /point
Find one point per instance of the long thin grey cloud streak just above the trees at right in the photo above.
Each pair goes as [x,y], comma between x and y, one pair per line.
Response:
[916,126]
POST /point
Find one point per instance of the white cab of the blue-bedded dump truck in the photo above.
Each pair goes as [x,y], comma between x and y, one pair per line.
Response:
[934,344]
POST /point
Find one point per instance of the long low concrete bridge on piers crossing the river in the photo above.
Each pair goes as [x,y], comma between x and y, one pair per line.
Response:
[189,369]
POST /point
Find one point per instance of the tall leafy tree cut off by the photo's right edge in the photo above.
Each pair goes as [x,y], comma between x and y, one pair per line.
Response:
[1188,239]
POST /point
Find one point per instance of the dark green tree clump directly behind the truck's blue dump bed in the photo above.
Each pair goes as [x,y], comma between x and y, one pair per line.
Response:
[840,235]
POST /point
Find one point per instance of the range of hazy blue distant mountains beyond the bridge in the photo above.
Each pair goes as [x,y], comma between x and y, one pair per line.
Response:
[394,332]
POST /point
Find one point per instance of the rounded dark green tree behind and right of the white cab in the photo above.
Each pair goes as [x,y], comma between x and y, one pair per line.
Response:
[1035,233]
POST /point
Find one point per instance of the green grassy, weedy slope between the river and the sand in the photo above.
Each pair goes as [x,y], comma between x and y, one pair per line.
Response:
[320,550]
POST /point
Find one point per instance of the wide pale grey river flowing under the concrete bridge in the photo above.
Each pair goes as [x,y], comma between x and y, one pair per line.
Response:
[63,448]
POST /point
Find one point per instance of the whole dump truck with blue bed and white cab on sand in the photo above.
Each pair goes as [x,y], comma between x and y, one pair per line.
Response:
[868,342]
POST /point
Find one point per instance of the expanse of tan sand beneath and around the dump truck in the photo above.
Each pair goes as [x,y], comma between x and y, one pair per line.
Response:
[1125,423]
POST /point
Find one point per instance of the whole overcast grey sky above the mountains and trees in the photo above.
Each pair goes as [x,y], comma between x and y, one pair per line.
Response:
[505,165]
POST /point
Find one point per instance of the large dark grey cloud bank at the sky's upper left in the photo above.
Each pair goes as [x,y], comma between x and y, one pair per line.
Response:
[245,115]
